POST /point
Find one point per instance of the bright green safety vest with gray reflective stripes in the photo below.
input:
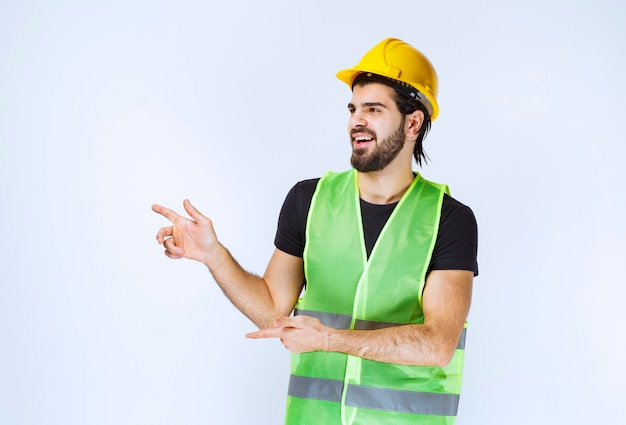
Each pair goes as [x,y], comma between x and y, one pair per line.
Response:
[346,290]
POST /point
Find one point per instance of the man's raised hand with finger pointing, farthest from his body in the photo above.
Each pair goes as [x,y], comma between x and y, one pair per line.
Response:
[185,238]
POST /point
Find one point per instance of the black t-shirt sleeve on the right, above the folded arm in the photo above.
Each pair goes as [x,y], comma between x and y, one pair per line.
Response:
[456,247]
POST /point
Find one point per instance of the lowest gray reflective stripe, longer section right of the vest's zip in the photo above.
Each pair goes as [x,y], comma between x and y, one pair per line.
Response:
[402,401]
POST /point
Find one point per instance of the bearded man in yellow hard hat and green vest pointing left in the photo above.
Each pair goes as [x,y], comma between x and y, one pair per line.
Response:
[386,260]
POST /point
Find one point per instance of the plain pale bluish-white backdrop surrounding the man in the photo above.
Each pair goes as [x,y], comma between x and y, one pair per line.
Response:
[107,108]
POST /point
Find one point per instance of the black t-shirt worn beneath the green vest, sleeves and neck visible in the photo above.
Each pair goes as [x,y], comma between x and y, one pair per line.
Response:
[455,248]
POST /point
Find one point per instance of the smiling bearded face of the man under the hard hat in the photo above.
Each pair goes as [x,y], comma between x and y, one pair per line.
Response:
[376,127]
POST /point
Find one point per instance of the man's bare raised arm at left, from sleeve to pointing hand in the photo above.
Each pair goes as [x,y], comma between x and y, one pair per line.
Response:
[261,299]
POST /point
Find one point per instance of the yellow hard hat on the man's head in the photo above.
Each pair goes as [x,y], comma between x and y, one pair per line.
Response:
[404,65]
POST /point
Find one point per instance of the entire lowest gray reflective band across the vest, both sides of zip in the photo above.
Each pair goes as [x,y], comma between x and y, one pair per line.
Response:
[374,398]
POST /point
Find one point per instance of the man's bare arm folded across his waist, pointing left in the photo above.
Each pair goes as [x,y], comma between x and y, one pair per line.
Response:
[446,303]
